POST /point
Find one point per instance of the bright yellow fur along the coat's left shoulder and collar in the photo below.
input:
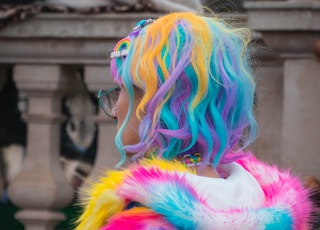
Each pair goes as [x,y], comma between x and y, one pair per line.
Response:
[103,201]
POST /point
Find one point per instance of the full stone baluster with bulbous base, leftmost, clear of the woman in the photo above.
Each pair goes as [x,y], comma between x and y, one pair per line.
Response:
[40,189]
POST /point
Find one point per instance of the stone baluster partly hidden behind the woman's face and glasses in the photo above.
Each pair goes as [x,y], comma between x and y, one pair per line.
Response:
[97,77]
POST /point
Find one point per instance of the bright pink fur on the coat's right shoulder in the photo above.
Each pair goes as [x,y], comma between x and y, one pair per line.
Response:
[281,189]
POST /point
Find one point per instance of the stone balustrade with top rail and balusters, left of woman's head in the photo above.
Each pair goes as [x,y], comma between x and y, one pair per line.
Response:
[44,52]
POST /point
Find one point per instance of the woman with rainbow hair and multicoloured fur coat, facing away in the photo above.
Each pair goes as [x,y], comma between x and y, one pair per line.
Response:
[184,115]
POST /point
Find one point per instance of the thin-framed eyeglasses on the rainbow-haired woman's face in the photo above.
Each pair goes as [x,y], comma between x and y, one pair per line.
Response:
[108,99]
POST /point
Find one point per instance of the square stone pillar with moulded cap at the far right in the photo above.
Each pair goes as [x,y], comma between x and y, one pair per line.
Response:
[291,28]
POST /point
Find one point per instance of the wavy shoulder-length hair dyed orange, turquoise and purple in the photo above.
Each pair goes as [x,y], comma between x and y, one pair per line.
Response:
[197,87]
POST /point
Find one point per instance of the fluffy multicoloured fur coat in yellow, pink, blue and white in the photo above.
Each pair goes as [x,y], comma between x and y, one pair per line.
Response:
[164,197]
